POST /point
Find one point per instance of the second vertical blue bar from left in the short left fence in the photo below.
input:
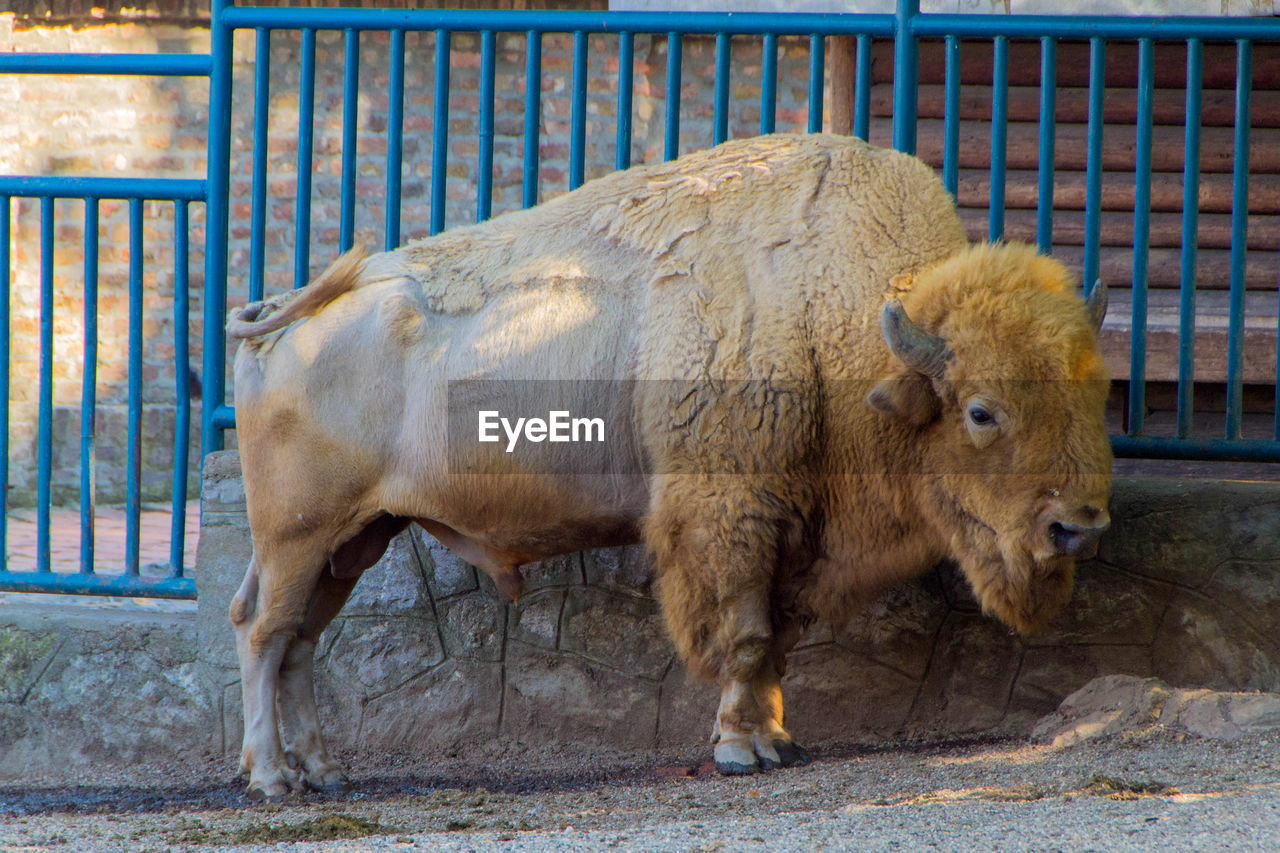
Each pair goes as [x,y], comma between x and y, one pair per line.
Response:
[45,427]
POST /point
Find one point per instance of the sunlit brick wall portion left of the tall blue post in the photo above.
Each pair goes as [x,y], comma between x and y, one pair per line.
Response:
[98,126]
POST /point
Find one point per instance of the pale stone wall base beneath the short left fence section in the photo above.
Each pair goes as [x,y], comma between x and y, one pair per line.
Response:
[84,686]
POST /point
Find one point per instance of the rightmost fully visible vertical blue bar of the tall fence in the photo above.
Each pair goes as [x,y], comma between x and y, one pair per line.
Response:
[1240,238]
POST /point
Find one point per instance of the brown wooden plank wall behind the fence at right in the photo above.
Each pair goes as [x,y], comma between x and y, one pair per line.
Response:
[1118,179]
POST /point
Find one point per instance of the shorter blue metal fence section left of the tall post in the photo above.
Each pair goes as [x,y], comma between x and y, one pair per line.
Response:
[93,191]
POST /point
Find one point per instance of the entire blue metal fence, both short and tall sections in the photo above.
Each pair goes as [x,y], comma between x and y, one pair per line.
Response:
[907,28]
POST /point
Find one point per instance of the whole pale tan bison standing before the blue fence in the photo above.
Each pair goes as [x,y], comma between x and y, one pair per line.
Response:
[812,387]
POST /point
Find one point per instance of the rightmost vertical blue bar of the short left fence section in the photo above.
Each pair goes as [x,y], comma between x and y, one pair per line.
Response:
[182,390]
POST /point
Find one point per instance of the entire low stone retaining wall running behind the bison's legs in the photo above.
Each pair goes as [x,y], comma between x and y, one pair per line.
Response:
[426,658]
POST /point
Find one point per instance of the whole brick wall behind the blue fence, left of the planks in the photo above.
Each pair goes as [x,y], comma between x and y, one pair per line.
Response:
[158,127]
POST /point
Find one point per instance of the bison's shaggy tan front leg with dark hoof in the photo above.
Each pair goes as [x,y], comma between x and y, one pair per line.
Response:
[716,576]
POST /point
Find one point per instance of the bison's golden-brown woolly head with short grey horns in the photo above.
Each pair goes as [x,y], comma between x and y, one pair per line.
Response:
[998,371]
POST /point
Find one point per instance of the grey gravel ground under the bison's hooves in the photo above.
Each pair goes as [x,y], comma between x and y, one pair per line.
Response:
[1150,793]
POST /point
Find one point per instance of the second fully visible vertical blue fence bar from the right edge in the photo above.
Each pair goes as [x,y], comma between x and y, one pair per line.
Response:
[1191,229]
